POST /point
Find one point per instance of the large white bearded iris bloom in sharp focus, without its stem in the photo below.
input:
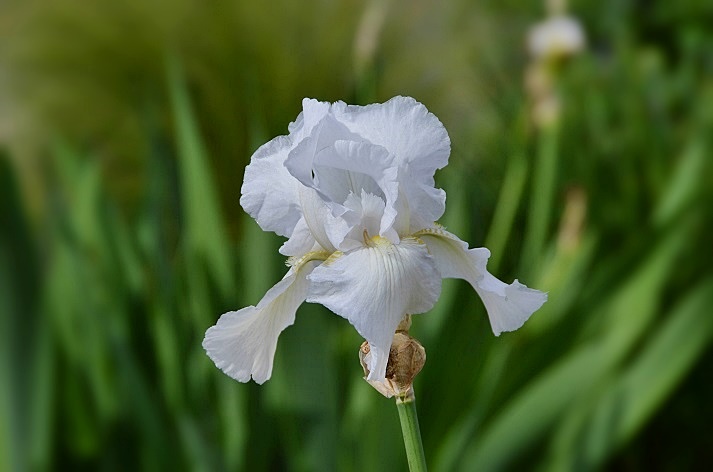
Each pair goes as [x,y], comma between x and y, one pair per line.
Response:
[352,188]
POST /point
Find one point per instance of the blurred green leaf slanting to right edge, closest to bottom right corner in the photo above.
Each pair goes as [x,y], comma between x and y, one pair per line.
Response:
[634,394]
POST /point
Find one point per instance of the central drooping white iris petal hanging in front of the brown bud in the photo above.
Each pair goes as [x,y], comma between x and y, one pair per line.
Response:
[374,287]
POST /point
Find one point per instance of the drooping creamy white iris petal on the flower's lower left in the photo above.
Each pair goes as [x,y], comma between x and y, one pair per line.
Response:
[242,343]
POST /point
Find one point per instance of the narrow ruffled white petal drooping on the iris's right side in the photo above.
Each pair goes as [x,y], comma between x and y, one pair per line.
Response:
[508,306]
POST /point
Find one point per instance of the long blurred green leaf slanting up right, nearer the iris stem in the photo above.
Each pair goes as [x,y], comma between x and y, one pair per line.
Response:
[550,396]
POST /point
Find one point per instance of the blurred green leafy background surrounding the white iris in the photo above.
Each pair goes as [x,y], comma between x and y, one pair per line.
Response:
[124,130]
